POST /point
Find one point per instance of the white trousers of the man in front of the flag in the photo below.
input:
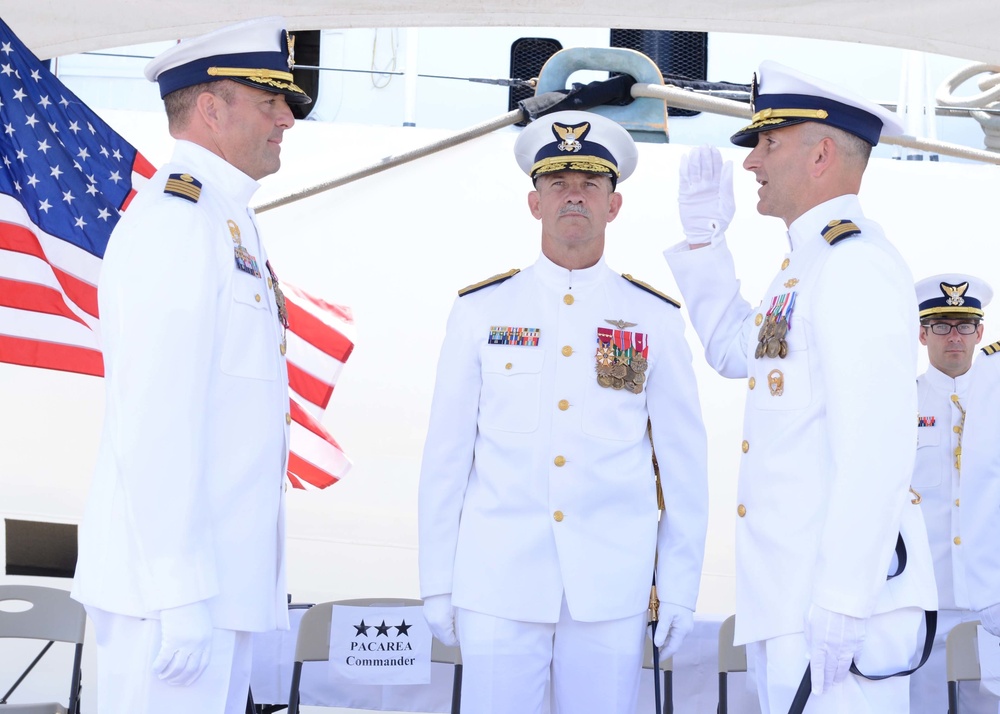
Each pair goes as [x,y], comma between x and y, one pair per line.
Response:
[126,648]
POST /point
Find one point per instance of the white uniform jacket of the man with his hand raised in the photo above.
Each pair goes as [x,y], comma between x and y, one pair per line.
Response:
[829,430]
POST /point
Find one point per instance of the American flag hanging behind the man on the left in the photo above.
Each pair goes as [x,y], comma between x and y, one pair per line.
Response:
[66,176]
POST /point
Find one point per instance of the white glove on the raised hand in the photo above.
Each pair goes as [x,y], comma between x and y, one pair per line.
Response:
[705,194]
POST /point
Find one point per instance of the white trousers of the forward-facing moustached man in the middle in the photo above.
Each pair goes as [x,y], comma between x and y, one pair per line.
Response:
[508,667]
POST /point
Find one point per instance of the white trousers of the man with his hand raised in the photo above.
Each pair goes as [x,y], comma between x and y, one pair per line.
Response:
[891,645]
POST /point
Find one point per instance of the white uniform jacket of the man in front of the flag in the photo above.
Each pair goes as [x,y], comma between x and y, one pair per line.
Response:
[187,501]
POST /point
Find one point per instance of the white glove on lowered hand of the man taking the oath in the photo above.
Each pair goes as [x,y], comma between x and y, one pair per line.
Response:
[832,640]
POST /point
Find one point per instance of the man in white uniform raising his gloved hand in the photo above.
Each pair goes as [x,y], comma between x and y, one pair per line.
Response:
[829,433]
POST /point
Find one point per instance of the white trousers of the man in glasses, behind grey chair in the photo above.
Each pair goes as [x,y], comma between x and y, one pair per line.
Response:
[929,684]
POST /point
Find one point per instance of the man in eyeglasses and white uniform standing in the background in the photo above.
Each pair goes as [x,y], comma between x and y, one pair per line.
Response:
[951,313]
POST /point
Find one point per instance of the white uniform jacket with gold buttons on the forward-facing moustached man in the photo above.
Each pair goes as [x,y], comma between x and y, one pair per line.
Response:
[536,480]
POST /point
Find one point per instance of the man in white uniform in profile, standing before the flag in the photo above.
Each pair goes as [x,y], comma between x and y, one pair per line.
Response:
[182,544]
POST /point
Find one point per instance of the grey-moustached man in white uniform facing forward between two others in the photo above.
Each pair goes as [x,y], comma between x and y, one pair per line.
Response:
[538,501]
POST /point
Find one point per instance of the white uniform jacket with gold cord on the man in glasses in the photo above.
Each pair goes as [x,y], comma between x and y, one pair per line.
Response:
[936,478]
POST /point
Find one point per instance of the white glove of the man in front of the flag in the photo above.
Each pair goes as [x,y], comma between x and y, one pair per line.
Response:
[185,644]
